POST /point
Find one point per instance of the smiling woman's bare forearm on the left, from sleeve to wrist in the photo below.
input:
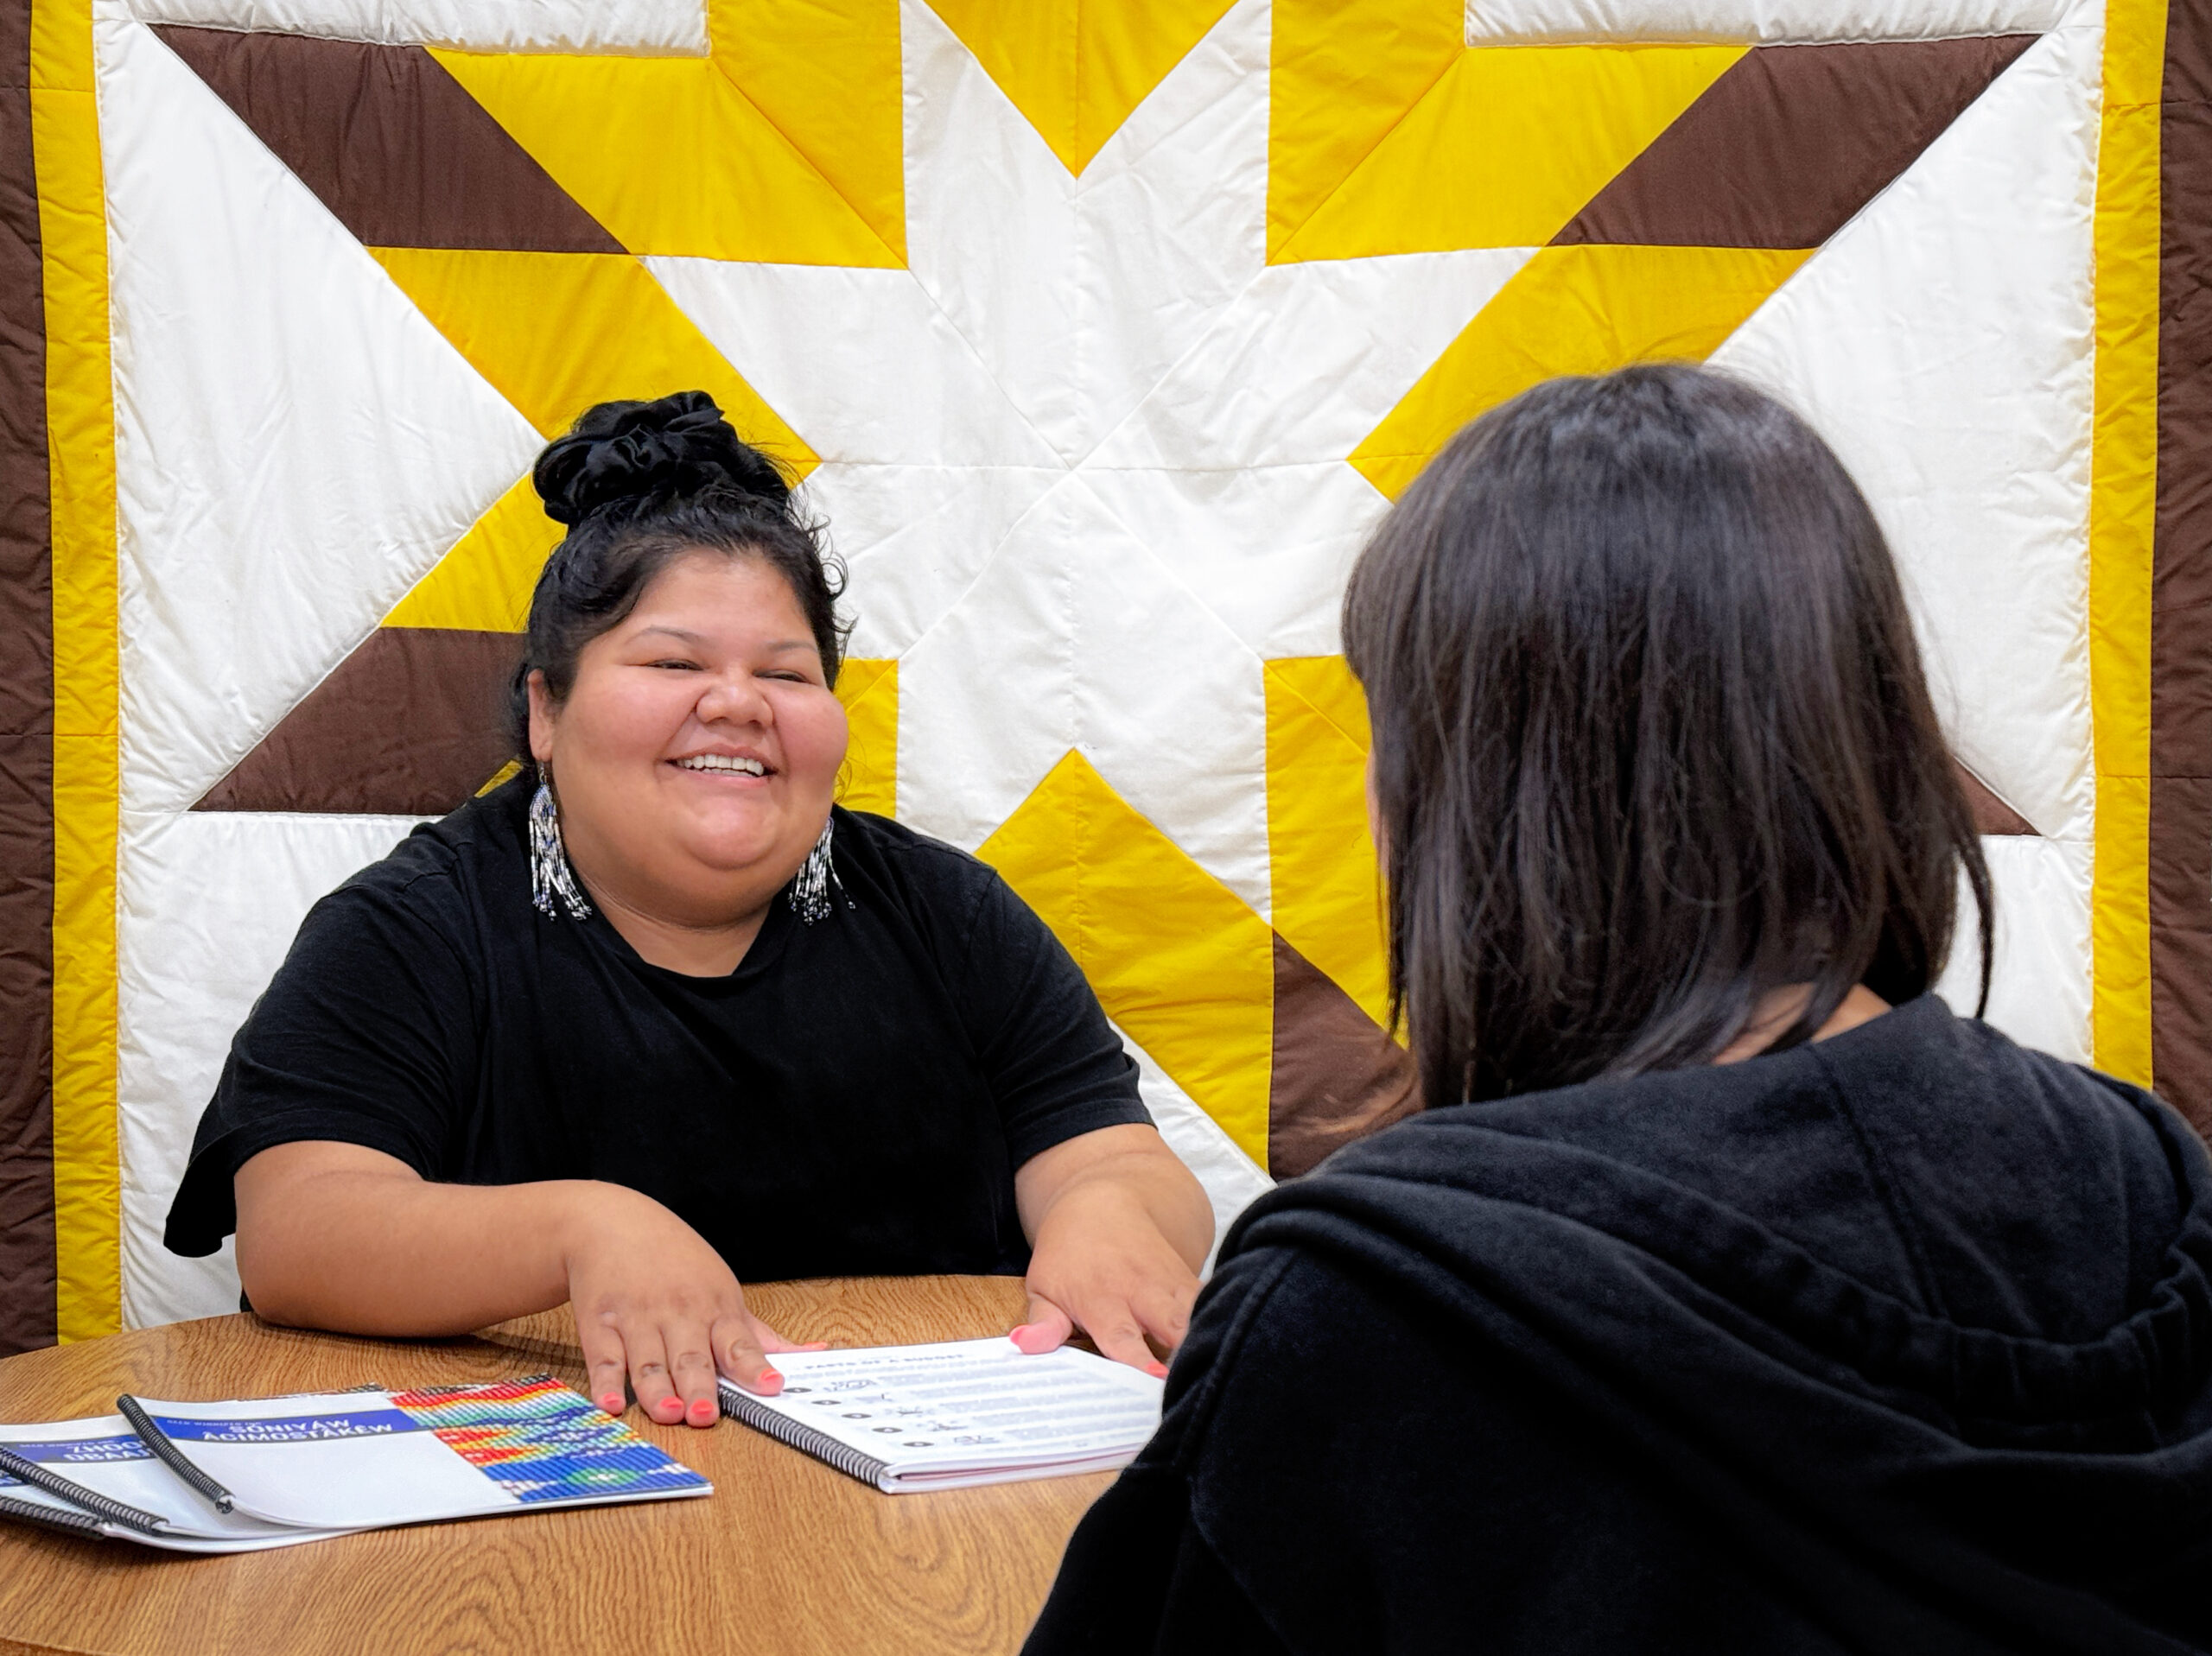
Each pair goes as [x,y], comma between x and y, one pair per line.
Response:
[335,1237]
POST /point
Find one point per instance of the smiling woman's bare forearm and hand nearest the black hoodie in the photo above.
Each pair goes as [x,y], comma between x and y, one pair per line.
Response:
[1118,1233]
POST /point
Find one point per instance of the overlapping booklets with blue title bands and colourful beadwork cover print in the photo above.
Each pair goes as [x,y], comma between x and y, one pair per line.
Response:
[240,1476]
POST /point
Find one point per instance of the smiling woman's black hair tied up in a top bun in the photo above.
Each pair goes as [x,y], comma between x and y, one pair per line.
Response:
[640,485]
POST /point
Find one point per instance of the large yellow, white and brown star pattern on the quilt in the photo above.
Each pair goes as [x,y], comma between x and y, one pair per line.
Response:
[1100,379]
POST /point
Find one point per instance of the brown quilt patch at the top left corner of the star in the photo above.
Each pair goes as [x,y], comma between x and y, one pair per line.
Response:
[390,143]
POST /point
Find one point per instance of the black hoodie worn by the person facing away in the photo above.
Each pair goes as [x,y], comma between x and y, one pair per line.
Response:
[1897,1343]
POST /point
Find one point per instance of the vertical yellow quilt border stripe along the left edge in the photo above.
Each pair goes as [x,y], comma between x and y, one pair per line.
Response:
[81,434]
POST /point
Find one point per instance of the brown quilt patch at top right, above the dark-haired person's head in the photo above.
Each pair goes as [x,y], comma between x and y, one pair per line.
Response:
[1791,143]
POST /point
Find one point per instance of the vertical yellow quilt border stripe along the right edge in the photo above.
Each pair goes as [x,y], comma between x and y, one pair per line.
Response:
[2125,496]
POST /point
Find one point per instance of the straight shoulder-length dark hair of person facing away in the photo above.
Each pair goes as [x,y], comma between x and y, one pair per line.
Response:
[1651,737]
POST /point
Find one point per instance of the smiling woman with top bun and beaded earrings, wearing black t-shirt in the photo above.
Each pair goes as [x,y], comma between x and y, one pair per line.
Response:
[654,1016]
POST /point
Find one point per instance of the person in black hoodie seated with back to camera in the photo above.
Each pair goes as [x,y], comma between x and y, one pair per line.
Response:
[1746,1301]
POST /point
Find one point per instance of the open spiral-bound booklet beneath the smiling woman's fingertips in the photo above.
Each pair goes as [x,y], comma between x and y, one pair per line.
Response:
[954,1414]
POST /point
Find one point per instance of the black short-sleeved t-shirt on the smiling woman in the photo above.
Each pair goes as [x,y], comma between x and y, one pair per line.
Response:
[853,1100]
